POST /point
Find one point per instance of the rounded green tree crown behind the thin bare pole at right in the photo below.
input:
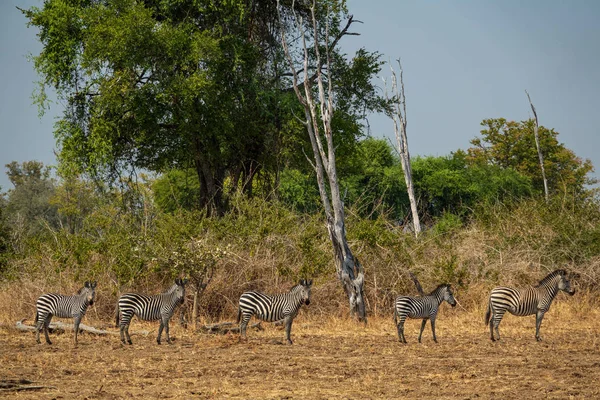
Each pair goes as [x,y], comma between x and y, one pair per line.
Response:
[510,144]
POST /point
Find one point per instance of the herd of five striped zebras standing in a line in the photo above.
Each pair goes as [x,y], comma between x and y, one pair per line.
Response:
[284,307]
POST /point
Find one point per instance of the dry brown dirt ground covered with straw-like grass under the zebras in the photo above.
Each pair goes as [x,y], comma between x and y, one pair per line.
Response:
[330,359]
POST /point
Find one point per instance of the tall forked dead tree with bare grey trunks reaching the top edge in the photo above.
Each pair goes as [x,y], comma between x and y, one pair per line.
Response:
[318,113]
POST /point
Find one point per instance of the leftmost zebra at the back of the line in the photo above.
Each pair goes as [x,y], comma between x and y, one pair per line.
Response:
[52,304]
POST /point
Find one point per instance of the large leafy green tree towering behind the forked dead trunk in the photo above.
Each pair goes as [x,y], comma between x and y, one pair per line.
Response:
[178,84]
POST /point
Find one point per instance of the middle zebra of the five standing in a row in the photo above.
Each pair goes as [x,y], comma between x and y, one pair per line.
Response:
[273,308]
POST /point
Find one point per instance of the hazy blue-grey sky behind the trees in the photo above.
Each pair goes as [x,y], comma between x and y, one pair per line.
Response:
[463,61]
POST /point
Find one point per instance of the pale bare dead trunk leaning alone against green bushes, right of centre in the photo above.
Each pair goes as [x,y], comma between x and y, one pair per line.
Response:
[398,115]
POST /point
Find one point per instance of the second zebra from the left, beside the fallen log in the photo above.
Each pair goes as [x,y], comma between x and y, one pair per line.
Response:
[149,308]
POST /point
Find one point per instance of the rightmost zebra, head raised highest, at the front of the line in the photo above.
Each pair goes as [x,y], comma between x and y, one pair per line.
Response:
[521,302]
